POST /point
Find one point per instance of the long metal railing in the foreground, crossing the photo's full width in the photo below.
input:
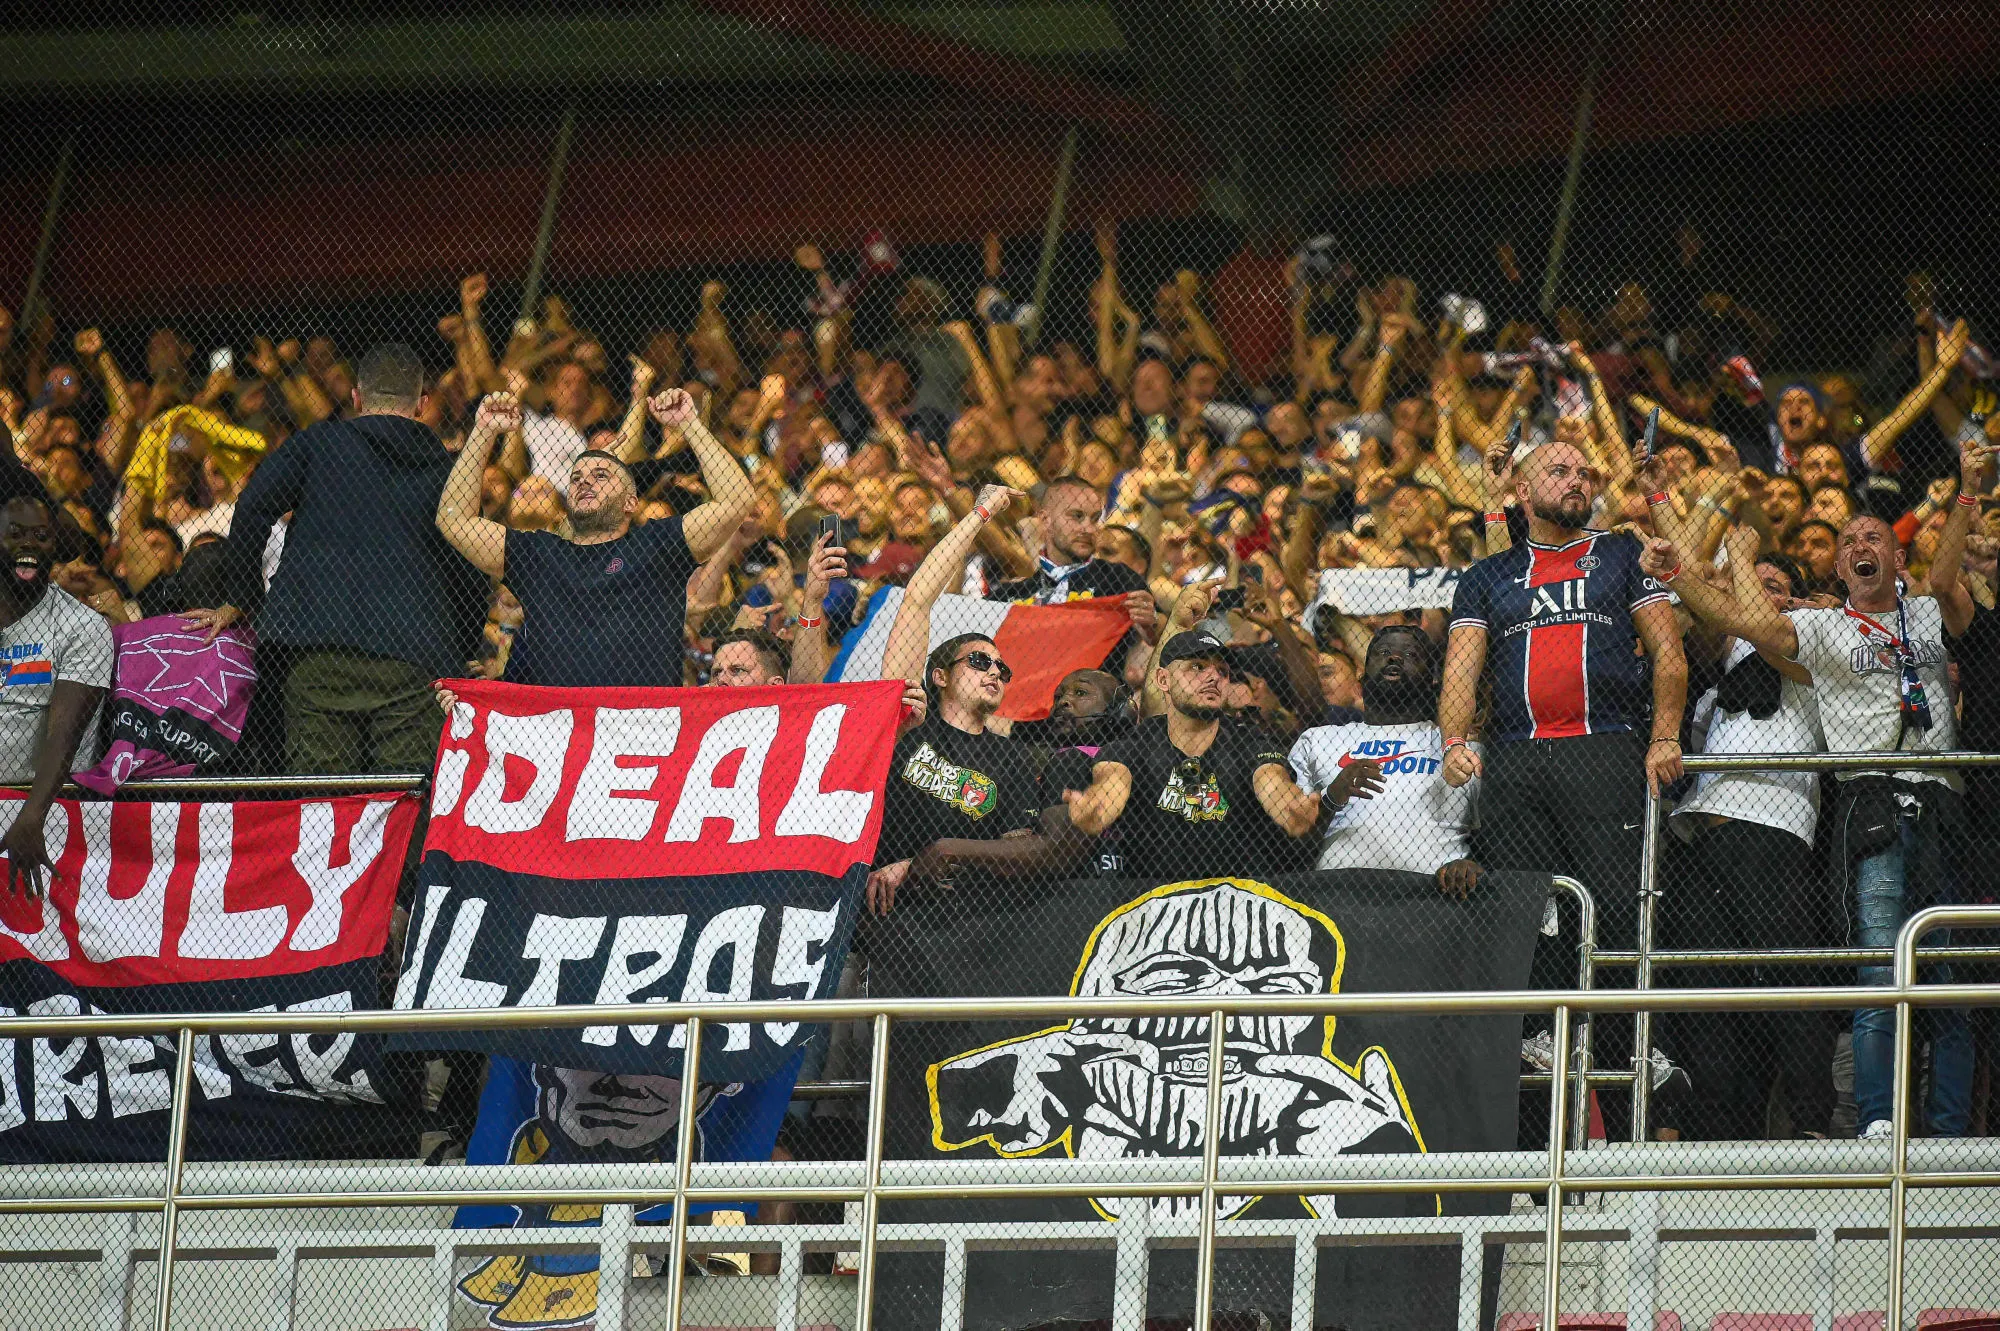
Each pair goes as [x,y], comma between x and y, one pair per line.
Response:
[1295,1178]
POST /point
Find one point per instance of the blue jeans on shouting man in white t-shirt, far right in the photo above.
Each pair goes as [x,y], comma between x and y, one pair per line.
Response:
[1883,900]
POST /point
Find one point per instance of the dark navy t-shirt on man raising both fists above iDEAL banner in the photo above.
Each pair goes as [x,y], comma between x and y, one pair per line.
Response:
[601,615]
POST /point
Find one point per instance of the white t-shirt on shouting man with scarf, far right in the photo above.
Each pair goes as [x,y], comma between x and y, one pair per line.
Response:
[1855,672]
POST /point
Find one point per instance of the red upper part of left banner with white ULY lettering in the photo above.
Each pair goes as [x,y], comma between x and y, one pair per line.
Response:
[151,894]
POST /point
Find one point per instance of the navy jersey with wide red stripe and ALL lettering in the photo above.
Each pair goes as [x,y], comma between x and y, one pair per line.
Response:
[1561,647]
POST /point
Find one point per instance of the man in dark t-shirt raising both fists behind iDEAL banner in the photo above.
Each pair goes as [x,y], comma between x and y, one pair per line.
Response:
[605,607]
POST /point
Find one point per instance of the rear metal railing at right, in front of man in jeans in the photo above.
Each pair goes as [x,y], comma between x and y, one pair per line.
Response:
[1649,892]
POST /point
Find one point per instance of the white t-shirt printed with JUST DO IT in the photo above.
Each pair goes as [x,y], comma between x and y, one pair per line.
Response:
[1417,822]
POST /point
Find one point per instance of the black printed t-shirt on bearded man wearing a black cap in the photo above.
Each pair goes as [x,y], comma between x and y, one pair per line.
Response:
[1199,816]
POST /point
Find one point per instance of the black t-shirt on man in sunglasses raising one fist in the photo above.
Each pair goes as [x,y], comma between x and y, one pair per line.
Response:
[949,784]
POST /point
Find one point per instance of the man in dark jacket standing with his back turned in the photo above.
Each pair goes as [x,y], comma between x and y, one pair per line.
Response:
[369,601]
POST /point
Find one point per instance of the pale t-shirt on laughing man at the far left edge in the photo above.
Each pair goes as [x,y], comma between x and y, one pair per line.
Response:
[61,639]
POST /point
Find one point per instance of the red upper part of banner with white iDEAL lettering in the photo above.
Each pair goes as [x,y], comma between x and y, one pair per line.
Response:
[621,784]
